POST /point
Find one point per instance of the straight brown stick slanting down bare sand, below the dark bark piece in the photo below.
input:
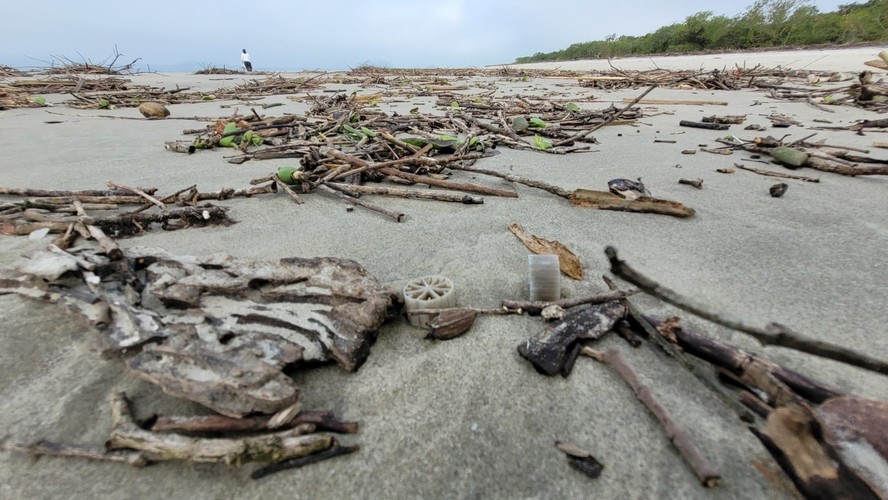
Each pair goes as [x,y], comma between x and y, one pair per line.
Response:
[677,434]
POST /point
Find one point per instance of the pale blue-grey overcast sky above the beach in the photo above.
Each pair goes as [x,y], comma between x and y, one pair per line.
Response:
[334,34]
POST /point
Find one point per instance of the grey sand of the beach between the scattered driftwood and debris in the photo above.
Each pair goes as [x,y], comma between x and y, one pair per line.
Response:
[469,418]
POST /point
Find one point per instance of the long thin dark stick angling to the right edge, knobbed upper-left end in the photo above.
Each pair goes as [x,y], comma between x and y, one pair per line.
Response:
[774,335]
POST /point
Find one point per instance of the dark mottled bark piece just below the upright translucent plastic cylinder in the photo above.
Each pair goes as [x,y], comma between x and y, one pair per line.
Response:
[551,349]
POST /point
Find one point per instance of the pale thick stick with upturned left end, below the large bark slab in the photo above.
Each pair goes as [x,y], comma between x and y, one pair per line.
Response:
[271,447]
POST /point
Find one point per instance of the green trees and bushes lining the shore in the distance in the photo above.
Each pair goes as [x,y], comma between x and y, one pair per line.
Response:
[767,23]
